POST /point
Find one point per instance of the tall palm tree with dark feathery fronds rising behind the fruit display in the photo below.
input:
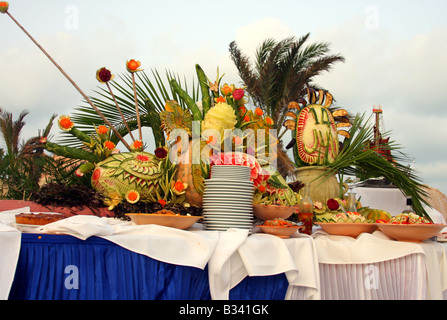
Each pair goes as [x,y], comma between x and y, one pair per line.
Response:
[281,72]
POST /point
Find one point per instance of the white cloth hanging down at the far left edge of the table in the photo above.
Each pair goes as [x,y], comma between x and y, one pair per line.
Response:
[10,239]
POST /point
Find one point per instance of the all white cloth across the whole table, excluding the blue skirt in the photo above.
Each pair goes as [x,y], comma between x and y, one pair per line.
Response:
[318,267]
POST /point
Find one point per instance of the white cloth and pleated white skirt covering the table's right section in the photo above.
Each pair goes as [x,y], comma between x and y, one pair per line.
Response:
[375,267]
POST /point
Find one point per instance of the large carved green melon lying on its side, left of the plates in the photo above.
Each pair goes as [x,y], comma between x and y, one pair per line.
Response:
[123,172]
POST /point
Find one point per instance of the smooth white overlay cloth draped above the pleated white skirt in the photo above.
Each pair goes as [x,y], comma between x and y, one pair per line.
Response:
[366,248]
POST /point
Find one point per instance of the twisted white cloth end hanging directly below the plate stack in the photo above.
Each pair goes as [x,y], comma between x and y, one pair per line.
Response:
[223,263]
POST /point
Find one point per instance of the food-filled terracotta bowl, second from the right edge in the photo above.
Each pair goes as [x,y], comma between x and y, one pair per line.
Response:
[347,224]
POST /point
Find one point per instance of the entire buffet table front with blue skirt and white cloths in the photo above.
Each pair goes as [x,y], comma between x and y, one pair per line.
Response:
[87,257]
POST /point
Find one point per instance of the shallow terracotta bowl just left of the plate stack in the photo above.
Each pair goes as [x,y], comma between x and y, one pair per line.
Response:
[173,221]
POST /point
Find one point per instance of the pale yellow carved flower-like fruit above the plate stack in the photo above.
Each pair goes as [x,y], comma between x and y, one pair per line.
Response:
[220,117]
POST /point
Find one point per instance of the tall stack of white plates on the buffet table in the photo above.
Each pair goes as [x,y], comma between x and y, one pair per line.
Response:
[228,199]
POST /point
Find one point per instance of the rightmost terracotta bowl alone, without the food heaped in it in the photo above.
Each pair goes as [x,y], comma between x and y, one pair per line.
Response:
[410,232]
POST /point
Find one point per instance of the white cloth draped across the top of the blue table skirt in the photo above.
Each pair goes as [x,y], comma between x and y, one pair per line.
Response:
[230,255]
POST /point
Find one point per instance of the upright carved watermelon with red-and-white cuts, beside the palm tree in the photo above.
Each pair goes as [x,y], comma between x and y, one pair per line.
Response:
[314,129]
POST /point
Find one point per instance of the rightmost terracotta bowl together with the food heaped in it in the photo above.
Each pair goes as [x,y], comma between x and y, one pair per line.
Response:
[410,227]
